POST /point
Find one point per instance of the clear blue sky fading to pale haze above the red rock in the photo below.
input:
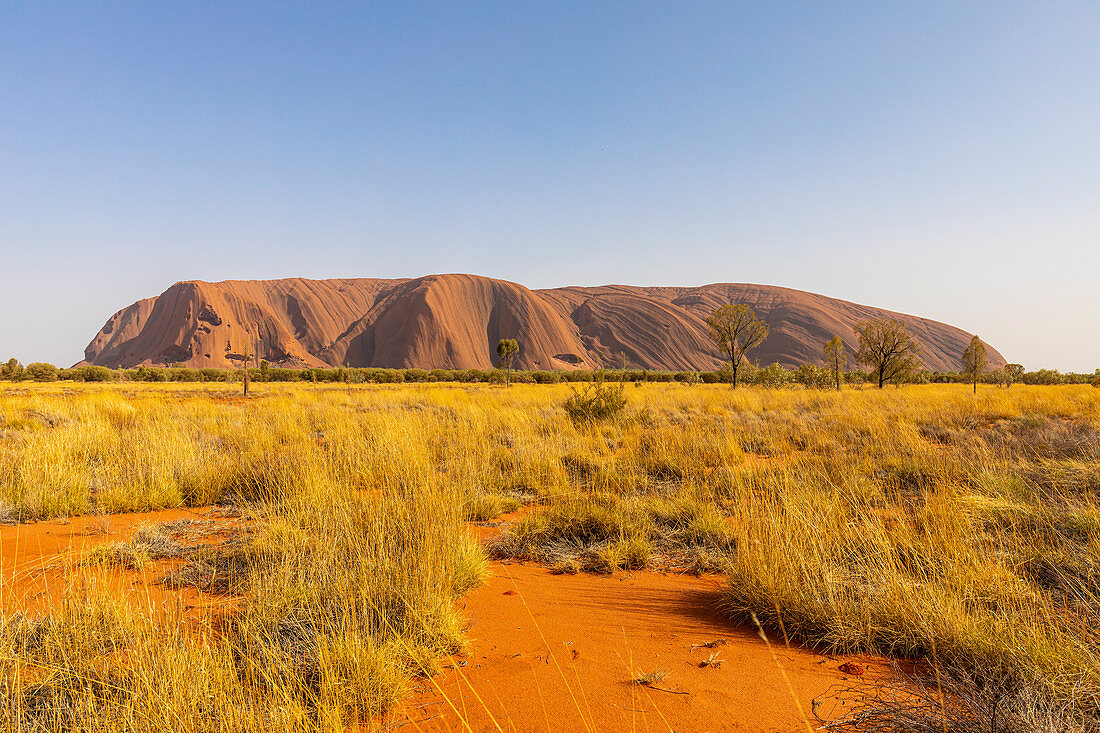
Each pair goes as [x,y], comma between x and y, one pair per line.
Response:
[941,159]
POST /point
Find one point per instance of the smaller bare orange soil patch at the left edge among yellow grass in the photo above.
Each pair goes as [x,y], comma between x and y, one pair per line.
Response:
[40,562]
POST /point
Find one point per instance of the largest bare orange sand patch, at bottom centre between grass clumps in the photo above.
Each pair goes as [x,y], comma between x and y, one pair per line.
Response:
[559,653]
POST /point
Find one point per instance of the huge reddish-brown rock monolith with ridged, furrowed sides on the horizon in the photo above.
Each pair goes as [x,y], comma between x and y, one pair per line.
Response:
[454,322]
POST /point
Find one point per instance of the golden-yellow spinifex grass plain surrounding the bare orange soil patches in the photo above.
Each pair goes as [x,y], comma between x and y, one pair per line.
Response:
[922,522]
